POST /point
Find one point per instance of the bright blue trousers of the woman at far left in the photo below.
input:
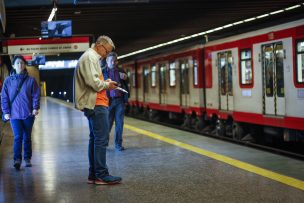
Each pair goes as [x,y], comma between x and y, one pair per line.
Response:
[22,130]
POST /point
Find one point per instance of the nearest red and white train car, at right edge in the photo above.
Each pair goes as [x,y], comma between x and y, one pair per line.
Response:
[257,79]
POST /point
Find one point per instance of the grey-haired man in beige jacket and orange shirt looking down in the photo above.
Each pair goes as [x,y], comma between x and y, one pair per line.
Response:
[91,98]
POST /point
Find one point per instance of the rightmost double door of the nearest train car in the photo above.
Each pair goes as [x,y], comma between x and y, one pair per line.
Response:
[273,79]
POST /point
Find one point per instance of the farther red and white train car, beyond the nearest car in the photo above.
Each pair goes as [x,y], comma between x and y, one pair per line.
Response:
[170,86]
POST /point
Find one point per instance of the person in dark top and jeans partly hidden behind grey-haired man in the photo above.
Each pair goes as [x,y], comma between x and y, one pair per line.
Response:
[117,99]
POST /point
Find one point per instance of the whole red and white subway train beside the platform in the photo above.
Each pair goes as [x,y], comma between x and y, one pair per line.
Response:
[248,86]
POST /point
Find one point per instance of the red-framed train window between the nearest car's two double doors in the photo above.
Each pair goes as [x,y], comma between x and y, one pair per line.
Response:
[246,67]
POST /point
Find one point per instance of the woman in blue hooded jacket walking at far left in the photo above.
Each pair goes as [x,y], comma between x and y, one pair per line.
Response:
[20,104]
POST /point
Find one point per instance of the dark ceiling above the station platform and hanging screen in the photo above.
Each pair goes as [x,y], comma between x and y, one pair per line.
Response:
[137,24]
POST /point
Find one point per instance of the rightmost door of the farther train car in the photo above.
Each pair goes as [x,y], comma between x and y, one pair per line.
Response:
[184,83]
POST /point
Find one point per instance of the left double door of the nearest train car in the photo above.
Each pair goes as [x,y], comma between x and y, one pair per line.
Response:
[225,80]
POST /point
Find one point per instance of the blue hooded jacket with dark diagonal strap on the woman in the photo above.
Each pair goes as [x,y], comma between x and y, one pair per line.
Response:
[27,99]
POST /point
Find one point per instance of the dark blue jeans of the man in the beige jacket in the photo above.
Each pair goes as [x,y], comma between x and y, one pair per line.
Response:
[98,142]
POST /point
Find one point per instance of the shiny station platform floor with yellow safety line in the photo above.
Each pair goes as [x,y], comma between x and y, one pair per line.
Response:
[160,164]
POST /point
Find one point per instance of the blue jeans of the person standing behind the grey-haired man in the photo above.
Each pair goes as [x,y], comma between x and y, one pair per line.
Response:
[117,113]
